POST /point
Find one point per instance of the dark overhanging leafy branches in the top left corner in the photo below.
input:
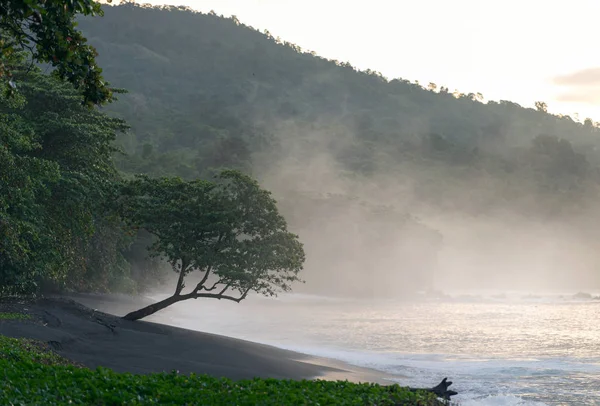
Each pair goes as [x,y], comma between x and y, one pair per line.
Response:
[47,30]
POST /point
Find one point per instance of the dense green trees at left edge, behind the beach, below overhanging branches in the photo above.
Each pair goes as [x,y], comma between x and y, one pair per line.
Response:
[56,173]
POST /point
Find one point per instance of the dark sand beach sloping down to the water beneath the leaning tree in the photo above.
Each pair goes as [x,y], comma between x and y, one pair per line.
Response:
[78,330]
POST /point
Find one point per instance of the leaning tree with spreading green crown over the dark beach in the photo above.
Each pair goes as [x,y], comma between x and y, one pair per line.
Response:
[229,232]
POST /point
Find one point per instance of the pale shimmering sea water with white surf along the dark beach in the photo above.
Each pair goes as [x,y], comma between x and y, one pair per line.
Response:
[500,350]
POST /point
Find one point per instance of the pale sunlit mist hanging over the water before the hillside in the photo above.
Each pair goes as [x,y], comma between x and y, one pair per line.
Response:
[485,242]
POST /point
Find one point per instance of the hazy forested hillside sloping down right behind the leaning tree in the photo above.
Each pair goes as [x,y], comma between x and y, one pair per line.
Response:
[207,91]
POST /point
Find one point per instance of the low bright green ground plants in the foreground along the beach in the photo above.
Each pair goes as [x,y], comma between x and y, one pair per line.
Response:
[31,374]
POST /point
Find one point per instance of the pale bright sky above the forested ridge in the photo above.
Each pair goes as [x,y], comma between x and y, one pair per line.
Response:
[518,50]
